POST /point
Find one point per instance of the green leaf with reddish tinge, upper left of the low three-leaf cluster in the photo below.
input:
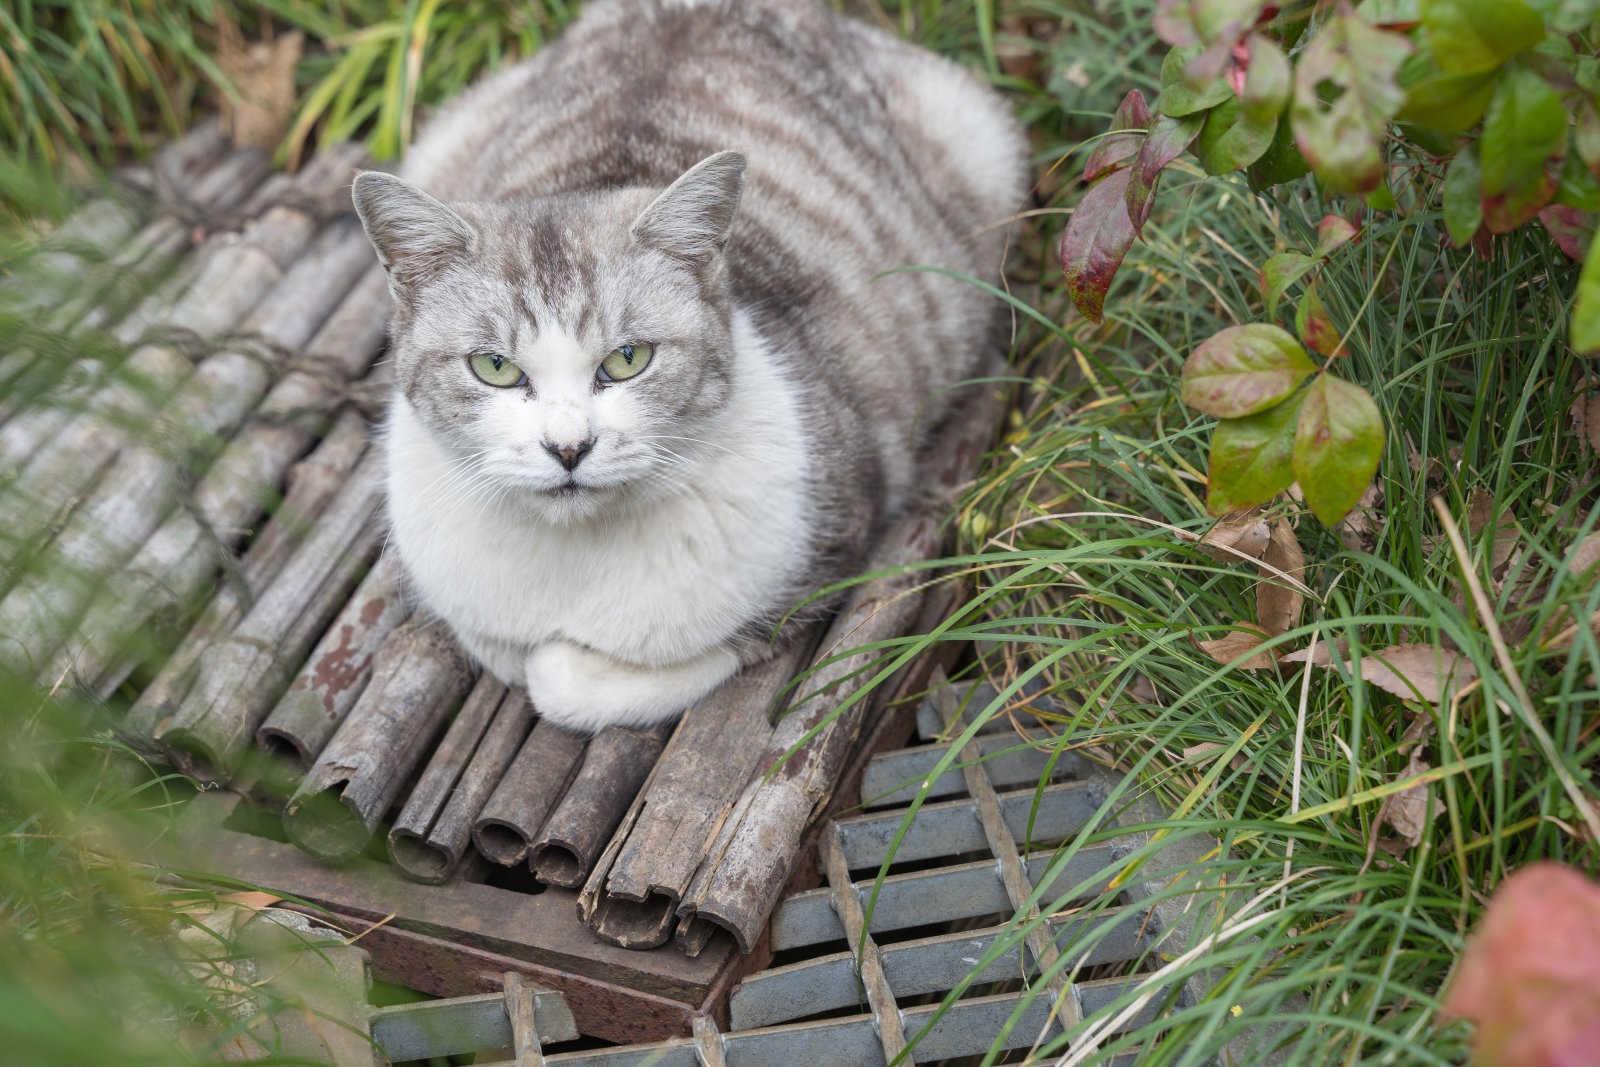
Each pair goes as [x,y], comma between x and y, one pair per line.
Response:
[1244,370]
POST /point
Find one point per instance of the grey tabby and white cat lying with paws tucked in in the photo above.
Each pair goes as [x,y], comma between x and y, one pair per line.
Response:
[658,377]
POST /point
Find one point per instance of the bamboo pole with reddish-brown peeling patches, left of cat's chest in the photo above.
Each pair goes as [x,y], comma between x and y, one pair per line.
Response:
[340,668]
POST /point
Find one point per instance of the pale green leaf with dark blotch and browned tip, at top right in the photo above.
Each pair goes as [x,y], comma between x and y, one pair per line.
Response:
[1346,92]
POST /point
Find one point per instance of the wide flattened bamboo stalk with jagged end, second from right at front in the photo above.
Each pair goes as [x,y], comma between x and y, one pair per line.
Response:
[631,900]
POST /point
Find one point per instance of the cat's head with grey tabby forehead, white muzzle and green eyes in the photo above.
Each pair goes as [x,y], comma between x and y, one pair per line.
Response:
[564,351]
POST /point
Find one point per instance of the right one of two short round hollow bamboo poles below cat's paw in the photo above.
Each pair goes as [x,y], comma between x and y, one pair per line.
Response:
[615,765]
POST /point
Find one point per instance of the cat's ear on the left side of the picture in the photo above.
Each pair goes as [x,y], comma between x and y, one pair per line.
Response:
[415,234]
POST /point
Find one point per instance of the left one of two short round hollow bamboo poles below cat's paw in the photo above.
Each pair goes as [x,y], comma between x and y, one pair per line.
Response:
[514,813]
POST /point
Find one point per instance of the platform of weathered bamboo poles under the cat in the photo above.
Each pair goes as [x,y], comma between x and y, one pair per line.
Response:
[220,486]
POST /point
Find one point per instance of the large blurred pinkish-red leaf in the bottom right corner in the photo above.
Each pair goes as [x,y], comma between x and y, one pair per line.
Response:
[1530,973]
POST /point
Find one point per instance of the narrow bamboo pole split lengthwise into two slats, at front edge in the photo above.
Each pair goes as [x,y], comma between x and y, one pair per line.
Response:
[434,828]
